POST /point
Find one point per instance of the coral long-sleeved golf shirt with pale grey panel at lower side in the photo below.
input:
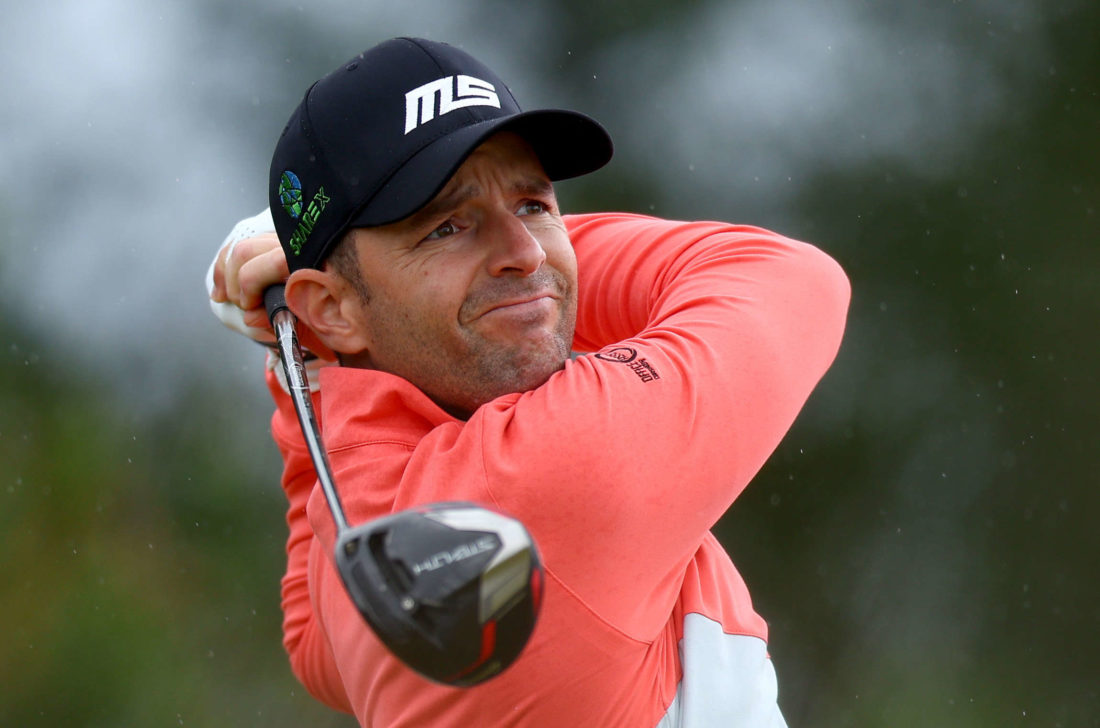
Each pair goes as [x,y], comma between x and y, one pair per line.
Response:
[706,341]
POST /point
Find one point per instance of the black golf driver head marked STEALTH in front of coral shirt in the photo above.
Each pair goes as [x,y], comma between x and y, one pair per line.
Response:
[452,589]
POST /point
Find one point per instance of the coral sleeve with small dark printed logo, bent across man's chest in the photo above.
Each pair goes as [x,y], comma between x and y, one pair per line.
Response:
[709,340]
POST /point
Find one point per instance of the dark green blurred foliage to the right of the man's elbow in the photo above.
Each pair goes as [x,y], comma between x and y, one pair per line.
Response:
[932,514]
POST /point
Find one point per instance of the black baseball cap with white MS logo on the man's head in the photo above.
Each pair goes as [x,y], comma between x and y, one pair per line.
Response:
[376,140]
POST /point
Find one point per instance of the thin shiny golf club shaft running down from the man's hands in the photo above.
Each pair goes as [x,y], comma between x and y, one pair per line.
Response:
[290,350]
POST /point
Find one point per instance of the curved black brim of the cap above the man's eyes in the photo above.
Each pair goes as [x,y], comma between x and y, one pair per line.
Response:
[568,145]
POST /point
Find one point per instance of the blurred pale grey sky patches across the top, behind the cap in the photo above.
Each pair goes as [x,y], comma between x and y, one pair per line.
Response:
[134,135]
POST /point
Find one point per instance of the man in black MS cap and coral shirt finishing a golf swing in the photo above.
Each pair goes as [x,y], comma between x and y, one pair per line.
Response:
[427,253]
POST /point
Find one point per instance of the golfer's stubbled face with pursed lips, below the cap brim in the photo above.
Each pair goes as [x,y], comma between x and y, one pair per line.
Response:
[475,296]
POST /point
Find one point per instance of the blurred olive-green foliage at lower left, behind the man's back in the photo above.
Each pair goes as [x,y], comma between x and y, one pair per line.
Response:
[142,559]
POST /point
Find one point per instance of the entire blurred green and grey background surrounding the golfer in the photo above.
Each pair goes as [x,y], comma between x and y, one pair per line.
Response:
[925,543]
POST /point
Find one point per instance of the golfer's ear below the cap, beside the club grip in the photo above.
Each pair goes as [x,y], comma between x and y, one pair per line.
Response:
[320,300]
